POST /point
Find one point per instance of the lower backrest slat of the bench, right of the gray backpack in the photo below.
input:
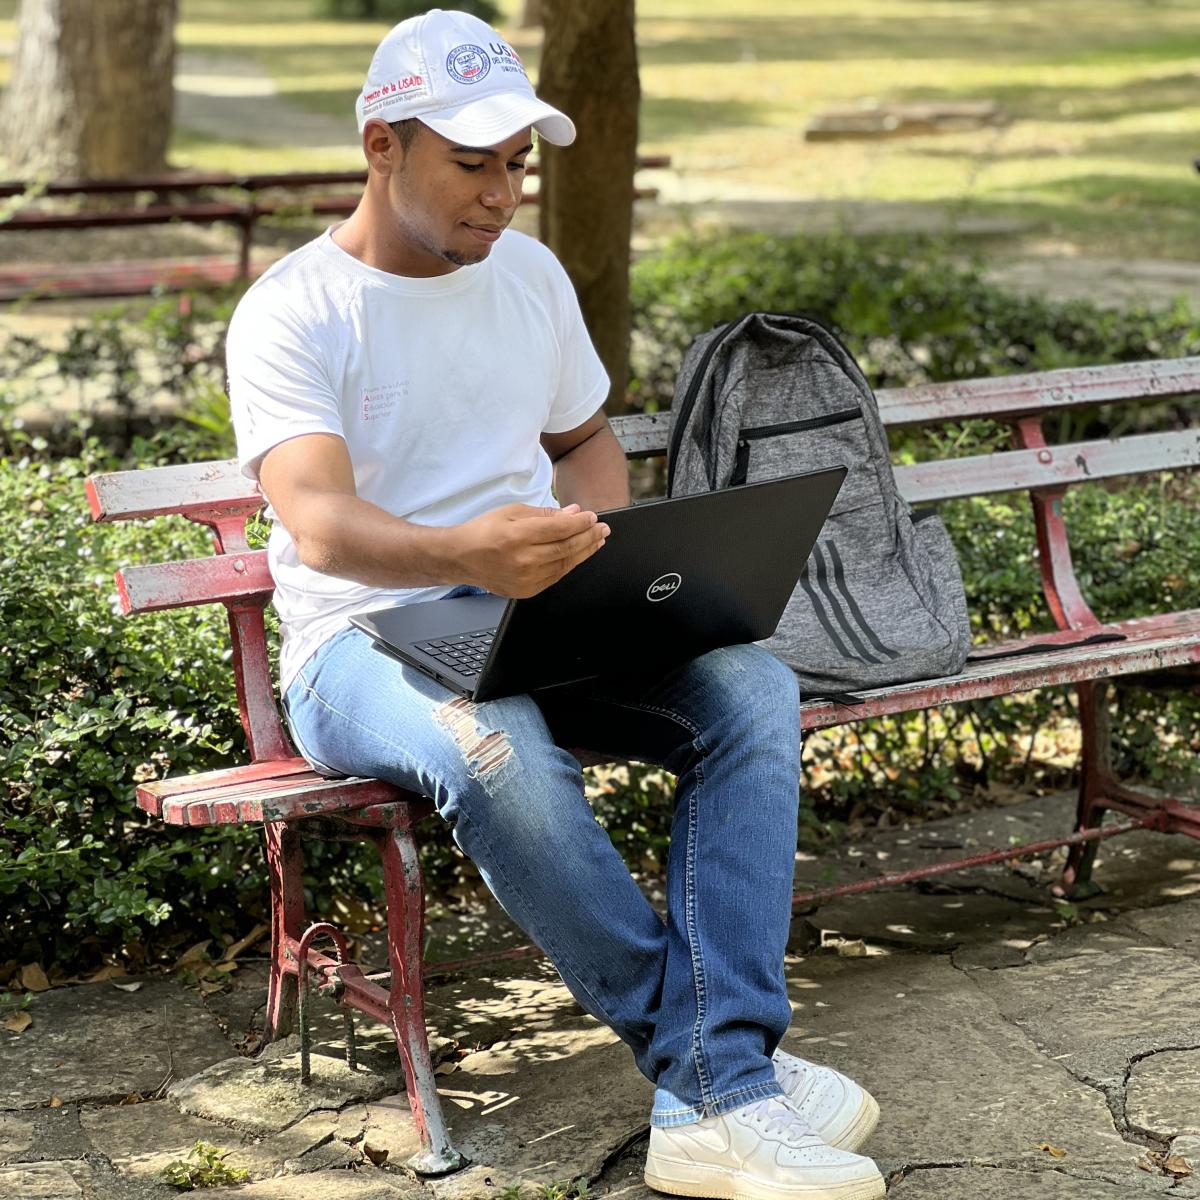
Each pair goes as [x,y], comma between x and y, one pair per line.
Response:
[1016,471]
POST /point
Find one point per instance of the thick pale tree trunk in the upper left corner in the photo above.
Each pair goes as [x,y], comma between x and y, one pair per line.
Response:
[93,88]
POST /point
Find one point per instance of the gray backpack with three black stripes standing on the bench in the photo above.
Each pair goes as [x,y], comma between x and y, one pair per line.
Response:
[881,599]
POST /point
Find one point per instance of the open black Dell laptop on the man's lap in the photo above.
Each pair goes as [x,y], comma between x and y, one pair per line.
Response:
[676,579]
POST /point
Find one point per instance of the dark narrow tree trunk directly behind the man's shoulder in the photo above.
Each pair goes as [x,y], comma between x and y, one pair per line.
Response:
[586,212]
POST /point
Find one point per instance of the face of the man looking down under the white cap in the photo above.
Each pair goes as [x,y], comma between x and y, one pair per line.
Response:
[452,202]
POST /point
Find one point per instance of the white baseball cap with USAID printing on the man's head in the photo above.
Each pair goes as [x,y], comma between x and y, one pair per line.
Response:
[461,79]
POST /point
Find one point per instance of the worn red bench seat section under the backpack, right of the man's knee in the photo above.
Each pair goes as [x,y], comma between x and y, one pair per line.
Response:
[1154,644]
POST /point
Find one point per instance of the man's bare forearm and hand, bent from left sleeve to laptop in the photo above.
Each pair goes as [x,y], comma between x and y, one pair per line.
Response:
[513,551]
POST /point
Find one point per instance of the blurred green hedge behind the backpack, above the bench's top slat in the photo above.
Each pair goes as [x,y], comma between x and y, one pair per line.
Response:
[913,310]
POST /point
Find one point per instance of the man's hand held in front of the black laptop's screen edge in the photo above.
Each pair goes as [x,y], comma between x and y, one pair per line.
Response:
[519,551]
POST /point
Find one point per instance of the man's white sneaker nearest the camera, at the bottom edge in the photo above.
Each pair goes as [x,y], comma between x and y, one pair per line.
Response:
[763,1151]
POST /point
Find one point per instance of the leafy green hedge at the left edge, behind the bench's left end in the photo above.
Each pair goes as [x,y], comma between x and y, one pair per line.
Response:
[89,704]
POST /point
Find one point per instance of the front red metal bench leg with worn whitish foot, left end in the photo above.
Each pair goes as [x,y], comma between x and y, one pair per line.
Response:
[406,1001]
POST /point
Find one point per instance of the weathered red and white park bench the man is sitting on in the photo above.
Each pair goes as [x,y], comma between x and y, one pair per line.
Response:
[279,790]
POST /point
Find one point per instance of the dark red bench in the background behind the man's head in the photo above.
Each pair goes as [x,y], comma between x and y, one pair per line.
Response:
[199,199]
